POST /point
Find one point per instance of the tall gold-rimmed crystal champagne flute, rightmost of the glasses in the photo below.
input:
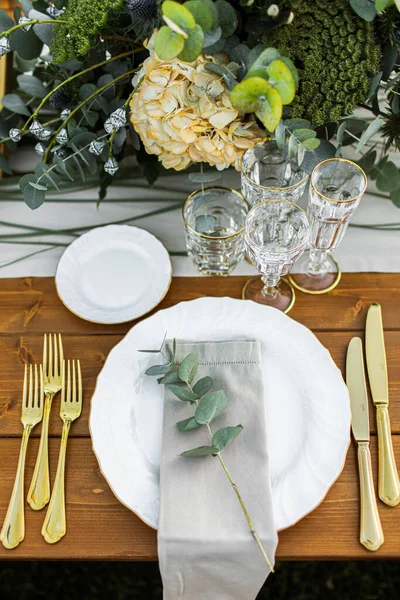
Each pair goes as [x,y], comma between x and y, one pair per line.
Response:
[336,188]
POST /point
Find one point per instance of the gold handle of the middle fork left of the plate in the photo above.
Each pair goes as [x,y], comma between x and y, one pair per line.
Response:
[39,490]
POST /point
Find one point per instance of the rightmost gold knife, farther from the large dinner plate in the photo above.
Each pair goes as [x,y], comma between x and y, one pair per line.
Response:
[388,480]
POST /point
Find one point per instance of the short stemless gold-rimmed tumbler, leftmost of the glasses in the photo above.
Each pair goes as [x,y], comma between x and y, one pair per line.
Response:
[214,220]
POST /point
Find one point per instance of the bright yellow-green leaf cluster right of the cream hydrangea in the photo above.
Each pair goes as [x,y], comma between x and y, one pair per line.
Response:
[267,86]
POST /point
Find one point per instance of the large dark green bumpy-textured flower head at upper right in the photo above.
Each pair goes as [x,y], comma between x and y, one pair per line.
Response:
[336,56]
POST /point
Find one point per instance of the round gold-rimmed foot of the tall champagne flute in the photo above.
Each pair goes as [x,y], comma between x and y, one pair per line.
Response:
[315,284]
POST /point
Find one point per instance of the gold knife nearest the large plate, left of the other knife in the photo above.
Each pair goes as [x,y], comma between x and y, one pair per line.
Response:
[371,535]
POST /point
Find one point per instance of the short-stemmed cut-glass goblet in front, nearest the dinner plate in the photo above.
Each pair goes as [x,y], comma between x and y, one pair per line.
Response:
[276,233]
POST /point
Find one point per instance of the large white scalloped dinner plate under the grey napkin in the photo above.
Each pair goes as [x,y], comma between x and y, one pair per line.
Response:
[307,404]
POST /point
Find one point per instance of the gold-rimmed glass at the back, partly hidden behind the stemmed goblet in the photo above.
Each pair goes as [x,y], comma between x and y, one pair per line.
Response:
[268,173]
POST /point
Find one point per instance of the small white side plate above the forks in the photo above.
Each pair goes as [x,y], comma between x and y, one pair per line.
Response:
[113,274]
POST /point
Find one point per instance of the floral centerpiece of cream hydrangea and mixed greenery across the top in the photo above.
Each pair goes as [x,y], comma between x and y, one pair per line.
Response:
[194,84]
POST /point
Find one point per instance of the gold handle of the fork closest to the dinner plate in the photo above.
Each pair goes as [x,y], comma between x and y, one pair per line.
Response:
[55,525]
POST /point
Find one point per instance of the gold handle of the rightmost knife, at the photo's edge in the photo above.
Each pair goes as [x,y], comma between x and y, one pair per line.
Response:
[389,484]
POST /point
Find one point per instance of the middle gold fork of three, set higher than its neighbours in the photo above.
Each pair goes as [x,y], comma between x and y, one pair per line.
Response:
[53,356]
